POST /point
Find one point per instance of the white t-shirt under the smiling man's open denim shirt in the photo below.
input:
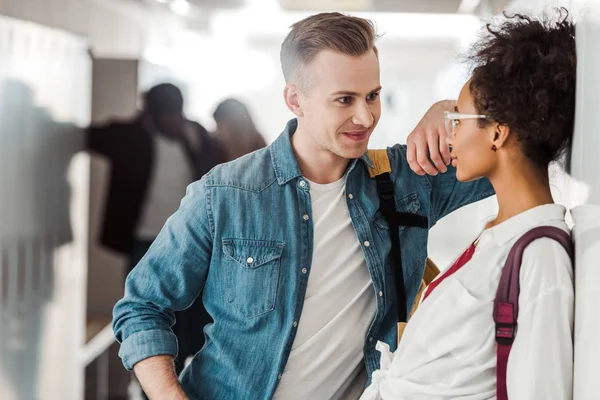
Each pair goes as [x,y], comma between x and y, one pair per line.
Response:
[326,361]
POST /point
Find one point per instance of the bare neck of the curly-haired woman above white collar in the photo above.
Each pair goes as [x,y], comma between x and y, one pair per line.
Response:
[519,189]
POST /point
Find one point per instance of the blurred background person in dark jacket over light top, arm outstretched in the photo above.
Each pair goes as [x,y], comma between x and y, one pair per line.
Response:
[153,158]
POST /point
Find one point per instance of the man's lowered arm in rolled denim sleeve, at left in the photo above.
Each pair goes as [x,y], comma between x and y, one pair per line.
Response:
[167,279]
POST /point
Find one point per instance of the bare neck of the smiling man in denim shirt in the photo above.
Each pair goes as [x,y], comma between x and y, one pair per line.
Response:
[317,165]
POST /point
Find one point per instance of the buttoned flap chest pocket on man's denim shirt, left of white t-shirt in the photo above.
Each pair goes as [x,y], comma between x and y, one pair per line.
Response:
[252,274]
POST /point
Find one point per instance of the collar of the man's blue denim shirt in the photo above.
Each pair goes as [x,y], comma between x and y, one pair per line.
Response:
[283,158]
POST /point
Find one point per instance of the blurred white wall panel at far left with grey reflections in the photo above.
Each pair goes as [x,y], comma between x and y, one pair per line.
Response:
[44,101]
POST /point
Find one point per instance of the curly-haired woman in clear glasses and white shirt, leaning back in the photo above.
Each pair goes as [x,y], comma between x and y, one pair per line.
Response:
[513,118]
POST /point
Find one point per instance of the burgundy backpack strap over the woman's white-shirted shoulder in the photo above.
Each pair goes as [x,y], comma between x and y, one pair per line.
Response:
[506,304]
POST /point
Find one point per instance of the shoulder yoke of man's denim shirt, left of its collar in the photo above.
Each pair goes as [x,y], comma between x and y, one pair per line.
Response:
[253,172]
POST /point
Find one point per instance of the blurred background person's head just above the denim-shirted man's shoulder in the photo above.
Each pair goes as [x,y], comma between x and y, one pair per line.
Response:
[236,130]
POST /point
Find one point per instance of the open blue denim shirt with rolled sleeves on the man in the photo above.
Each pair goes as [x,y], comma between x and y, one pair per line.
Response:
[242,237]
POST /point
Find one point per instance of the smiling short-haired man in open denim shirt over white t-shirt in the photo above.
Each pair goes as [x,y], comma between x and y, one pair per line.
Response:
[288,243]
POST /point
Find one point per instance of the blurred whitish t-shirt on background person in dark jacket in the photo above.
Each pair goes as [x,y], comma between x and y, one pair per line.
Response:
[170,177]
